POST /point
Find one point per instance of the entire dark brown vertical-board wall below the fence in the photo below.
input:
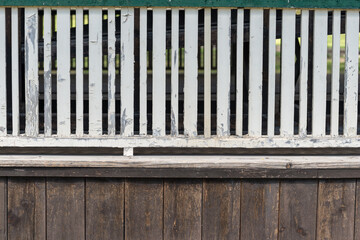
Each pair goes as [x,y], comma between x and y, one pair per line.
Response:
[79,208]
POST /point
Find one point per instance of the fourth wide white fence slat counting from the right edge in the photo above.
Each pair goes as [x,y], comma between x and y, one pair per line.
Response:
[255,71]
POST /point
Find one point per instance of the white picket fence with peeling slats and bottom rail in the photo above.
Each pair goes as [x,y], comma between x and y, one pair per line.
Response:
[335,125]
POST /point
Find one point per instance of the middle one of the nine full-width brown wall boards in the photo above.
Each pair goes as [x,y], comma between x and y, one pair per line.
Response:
[182,209]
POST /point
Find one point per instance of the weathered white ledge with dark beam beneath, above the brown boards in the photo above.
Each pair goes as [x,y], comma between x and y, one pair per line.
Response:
[180,166]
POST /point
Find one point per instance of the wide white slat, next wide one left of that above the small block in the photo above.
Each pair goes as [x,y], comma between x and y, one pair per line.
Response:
[95,71]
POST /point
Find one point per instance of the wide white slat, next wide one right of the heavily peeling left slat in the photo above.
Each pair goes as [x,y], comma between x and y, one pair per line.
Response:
[63,72]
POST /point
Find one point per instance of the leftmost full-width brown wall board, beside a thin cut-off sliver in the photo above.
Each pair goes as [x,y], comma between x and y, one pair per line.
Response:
[26,208]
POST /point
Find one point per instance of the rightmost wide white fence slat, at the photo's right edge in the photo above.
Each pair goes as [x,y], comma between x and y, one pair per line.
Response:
[351,73]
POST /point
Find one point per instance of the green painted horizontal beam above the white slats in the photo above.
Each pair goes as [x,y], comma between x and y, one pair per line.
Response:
[331,4]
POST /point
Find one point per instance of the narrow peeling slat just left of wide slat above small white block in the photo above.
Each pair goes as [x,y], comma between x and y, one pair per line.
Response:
[111,71]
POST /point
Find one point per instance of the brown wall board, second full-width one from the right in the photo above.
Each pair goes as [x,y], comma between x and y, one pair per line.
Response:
[297,213]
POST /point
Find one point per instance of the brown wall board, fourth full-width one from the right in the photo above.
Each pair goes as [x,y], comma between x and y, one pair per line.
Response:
[221,209]
